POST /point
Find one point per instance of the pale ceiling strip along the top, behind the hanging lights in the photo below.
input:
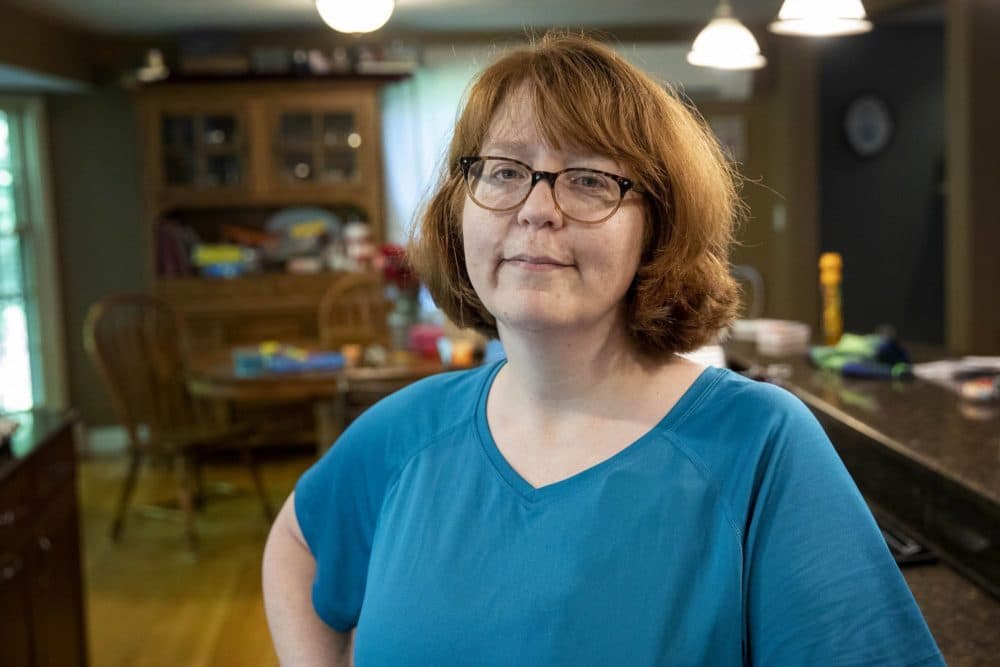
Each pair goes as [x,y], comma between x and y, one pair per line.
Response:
[153,16]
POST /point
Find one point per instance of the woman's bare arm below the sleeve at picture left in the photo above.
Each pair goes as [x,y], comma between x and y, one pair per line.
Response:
[300,637]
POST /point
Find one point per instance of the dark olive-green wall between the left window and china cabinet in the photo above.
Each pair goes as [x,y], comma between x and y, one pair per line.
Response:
[103,239]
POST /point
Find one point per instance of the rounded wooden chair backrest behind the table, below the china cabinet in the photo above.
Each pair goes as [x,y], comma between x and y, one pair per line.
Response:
[354,310]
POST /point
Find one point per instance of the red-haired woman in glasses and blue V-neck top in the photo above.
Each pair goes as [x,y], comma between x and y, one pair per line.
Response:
[596,499]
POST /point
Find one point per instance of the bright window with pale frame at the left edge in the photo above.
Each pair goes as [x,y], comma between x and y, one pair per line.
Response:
[29,303]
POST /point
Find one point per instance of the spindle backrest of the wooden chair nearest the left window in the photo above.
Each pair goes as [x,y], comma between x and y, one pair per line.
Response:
[137,343]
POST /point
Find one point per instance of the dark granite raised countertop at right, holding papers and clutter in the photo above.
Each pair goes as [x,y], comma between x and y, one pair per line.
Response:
[955,439]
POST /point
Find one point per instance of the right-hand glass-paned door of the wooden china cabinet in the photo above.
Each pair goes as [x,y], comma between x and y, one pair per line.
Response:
[317,147]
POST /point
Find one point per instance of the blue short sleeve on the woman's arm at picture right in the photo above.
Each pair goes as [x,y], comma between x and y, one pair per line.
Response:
[821,585]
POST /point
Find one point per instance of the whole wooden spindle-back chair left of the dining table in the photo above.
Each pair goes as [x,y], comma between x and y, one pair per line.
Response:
[137,343]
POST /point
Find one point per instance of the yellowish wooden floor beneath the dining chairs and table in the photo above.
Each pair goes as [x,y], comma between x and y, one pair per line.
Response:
[149,603]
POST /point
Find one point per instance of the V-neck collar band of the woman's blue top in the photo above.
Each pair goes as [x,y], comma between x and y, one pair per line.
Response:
[531,494]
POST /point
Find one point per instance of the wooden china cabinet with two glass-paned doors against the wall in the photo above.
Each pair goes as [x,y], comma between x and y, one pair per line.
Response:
[235,152]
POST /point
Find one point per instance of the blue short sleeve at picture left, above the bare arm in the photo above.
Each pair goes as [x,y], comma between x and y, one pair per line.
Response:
[337,503]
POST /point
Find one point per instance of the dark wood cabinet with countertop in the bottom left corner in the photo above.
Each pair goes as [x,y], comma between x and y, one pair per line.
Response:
[41,585]
